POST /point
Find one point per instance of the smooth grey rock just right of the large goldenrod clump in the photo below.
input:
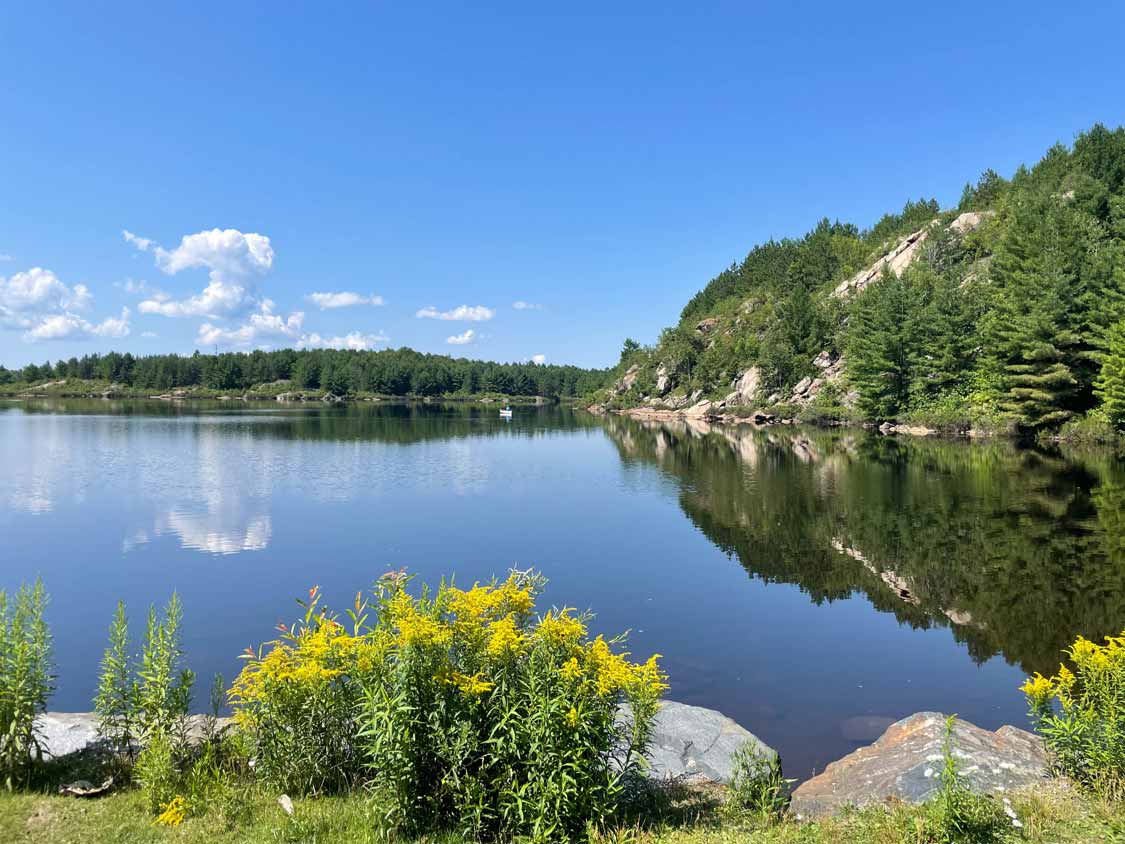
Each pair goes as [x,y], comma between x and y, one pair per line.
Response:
[698,743]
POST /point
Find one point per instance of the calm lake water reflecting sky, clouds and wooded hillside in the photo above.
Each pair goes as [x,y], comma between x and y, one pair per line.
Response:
[813,586]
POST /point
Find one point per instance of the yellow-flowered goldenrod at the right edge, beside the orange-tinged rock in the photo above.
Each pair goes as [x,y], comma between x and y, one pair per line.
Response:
[1081,712]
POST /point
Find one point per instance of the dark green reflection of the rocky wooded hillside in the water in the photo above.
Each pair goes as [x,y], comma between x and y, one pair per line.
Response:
[1016,551]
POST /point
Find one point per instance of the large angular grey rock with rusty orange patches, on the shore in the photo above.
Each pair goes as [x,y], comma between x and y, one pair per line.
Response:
[907,760]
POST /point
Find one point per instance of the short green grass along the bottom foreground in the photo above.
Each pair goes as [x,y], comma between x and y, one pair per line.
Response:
[1055,813]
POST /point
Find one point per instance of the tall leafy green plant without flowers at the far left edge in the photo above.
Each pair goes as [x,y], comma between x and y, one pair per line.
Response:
[26,681]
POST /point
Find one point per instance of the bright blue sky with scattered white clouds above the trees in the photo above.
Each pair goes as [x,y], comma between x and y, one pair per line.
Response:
[600,163]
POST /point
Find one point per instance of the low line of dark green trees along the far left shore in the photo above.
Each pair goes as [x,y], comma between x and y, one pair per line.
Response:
[392,372]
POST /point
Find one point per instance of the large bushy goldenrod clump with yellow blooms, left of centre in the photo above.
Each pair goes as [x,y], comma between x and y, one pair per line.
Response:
[473,714]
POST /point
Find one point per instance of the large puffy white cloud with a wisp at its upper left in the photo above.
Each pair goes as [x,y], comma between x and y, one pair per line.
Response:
[235,259]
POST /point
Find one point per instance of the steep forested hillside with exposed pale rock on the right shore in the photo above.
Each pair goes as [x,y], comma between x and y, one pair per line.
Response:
[1006,311]
